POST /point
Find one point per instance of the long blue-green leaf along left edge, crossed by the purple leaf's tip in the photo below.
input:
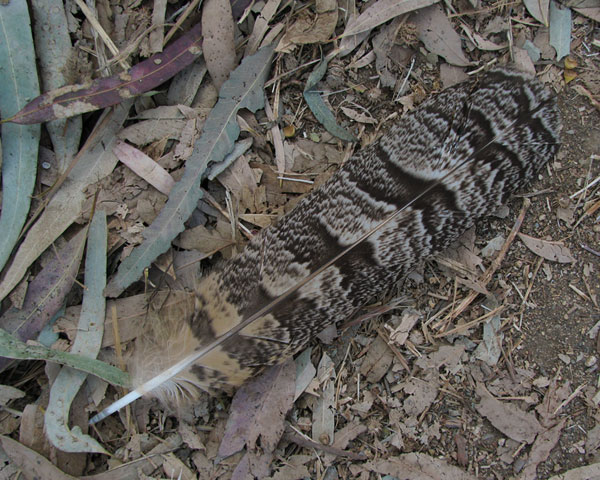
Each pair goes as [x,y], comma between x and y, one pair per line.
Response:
[18,83]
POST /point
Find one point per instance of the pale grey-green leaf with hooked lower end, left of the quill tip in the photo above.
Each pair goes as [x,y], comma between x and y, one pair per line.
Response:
[87,343]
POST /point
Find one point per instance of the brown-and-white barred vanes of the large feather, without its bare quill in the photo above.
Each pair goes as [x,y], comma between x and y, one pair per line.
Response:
[455,158]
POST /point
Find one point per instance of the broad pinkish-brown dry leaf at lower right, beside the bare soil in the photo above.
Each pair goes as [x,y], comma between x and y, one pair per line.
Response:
[508,418]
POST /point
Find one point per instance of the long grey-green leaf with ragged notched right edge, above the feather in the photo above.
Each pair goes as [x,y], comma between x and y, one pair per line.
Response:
[244,89]
